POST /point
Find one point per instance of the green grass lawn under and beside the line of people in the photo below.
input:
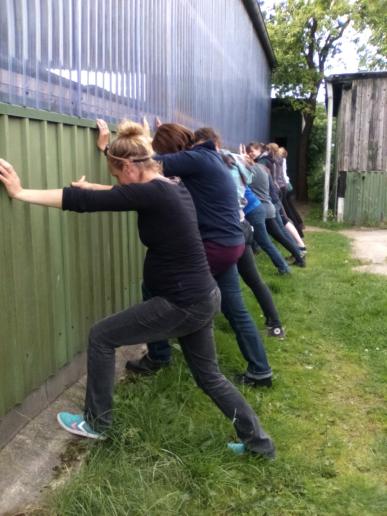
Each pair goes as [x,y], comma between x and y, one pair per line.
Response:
[326,412]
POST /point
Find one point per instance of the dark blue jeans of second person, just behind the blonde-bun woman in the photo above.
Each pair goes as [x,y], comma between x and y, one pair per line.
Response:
[248,338]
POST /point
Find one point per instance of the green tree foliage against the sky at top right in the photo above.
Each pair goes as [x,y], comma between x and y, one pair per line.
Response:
[306,34]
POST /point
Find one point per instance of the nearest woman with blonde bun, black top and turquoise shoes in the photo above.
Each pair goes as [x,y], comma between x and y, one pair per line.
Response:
[186,297]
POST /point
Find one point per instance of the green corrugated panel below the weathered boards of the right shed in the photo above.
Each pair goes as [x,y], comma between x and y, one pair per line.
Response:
[366,198]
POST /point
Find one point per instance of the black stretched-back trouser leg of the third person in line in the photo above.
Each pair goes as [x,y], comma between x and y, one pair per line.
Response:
[248,270]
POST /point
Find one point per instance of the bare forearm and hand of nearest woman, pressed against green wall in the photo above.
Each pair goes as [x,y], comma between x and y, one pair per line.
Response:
[11,181]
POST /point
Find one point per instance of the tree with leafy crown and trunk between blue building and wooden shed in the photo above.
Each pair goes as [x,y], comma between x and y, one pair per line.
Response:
[304,35]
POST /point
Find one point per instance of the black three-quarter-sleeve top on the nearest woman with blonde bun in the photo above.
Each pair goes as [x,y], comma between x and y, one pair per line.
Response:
[175,265]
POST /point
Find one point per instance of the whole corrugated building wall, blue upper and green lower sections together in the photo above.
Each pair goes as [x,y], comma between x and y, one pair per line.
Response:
[197,62]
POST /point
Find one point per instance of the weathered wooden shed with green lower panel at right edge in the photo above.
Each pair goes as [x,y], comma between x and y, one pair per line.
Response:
[359,102]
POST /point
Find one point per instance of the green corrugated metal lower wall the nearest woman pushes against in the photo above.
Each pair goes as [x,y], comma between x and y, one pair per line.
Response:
[59,271]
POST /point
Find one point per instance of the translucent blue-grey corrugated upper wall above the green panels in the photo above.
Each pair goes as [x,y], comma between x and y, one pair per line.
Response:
[198,62]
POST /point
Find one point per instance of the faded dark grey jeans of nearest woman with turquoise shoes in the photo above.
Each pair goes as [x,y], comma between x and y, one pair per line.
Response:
[157,319]
